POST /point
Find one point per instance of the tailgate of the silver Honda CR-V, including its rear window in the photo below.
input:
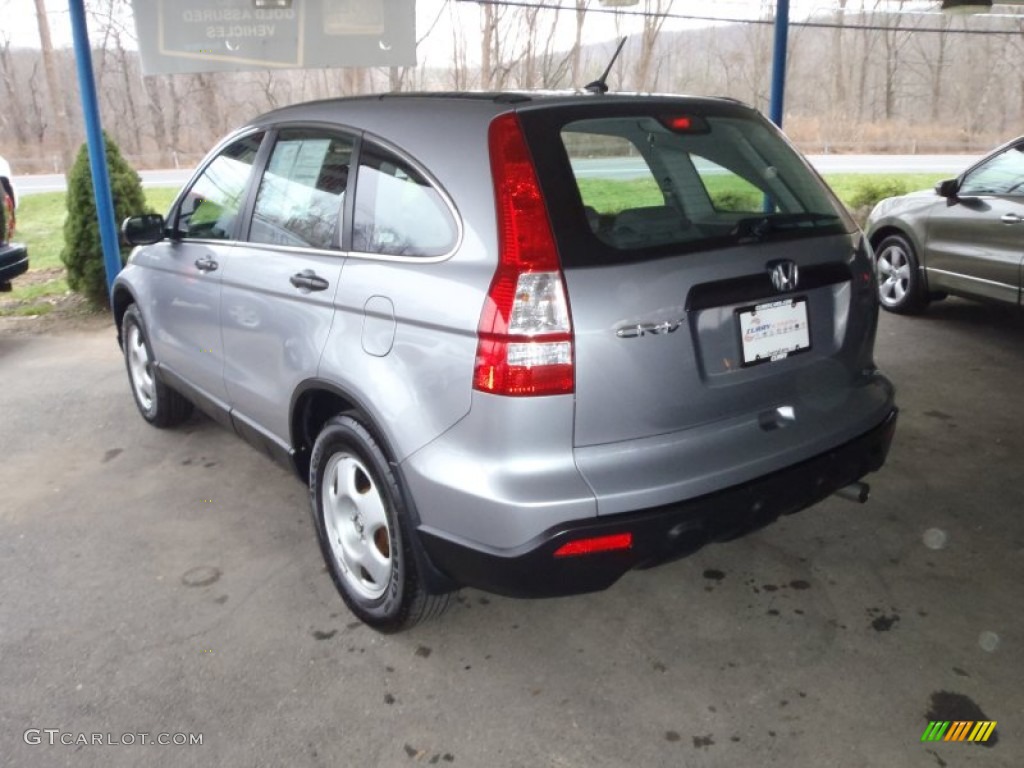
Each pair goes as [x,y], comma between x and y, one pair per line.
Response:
[710,274]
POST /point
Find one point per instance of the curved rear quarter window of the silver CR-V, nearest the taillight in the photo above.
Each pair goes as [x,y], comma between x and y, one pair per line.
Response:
[398,211]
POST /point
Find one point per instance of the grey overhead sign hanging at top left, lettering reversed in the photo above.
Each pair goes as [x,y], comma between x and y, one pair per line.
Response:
[190,36]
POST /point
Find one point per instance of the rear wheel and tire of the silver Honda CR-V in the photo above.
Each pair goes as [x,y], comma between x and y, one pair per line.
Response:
[362,523]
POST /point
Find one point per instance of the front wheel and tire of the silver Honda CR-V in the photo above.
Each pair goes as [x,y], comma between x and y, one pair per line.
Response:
[158,404]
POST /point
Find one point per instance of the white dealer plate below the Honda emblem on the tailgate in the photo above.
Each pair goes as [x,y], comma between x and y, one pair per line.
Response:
[775,331]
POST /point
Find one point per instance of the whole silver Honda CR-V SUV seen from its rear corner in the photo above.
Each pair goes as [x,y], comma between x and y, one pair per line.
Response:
[518,343]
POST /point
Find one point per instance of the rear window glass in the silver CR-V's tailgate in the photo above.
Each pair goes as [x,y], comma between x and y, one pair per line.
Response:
[657,182]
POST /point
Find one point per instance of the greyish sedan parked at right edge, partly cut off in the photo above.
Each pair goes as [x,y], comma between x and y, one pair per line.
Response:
[963,239]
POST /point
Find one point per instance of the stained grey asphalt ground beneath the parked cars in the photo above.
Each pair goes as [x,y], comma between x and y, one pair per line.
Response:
[169,583]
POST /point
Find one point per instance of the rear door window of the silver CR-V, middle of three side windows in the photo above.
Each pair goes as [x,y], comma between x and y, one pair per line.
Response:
[302,196]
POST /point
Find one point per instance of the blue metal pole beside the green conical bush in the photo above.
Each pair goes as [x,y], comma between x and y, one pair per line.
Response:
[95,140]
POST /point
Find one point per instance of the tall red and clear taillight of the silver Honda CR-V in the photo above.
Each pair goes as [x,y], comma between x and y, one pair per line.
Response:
[526,332]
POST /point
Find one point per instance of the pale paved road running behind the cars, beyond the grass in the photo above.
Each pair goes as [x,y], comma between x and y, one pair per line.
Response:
[625,168]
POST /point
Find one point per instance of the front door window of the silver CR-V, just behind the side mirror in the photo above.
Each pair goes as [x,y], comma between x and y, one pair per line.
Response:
[210,208]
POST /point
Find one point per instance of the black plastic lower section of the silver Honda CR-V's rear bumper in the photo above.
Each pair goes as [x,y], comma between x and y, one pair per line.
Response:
[661,534]
